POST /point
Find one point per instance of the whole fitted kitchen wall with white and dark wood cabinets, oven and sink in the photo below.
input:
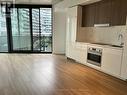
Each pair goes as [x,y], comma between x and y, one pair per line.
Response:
[96,35]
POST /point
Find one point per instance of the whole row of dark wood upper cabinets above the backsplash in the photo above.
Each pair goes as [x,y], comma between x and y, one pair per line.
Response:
[113,12]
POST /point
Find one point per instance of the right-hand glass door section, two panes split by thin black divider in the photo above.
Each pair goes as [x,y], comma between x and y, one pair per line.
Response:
[42,29]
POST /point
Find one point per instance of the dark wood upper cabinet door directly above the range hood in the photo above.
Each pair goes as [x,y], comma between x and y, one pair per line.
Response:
[103,12]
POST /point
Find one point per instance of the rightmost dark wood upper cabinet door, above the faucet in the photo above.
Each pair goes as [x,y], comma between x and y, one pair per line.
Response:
[119,12]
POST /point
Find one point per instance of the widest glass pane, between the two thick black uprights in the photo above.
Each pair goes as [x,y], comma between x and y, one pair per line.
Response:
[21,29]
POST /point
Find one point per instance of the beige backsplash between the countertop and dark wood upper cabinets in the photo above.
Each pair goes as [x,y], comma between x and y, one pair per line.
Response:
[108,35]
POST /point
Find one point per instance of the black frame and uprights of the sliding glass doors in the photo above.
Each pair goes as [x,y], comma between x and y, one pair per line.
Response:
[9,28]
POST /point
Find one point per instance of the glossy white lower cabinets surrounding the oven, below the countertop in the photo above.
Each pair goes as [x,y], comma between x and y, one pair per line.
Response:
[111,58]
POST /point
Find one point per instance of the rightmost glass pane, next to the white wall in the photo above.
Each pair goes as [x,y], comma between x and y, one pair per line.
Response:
[46,29]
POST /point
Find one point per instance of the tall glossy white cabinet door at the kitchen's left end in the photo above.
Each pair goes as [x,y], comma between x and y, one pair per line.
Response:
[71,32]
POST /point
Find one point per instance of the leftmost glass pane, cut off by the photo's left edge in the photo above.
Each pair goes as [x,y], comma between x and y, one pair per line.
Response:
[3,32]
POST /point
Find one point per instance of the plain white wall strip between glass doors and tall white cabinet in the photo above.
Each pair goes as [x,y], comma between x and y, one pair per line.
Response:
[59,30]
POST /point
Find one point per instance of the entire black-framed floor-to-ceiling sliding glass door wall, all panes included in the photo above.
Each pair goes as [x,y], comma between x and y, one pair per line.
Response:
[26,28]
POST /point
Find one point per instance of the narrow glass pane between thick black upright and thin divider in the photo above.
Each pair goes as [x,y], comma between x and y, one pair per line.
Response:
[35,28]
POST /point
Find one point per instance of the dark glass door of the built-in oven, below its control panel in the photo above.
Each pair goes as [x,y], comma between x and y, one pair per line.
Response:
[94,58]
